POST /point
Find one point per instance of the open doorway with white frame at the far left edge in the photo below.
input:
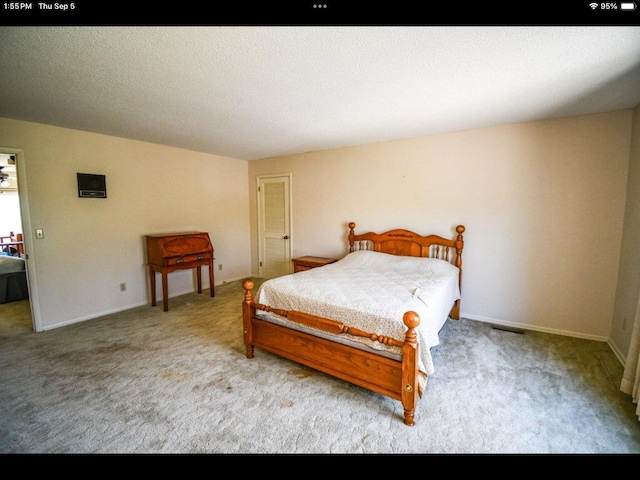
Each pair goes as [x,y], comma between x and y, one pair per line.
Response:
[19,203]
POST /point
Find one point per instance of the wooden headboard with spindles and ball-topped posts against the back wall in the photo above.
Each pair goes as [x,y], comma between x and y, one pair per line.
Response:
[407,243]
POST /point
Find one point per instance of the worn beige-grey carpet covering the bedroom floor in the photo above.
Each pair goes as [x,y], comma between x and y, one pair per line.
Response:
[148,381]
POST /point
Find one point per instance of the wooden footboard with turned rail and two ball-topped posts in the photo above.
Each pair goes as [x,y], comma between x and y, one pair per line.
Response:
[399,380]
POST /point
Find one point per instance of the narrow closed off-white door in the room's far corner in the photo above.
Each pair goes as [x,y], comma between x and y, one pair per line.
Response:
[274,225]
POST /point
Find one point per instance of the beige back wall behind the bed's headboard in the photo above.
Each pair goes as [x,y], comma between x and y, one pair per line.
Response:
[543,204]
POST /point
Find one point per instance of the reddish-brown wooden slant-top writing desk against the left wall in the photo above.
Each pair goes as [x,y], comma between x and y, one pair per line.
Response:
[178,251]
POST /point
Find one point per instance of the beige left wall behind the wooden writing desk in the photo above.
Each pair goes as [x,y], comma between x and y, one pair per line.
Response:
[90,246]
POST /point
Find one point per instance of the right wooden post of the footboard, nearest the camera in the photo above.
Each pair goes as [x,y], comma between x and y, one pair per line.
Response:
[410,386]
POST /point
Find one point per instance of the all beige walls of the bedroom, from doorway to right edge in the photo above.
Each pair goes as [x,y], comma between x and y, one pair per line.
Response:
[543,204]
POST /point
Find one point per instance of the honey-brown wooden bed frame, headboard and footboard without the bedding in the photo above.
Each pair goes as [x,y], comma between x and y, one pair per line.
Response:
[398,379]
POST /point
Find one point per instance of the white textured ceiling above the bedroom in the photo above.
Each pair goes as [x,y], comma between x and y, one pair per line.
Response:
[254,92]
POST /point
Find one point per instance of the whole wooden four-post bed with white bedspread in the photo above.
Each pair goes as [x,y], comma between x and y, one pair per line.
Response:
[370,318]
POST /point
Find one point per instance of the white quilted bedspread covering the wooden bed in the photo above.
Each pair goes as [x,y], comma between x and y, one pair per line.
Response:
[371,291]
